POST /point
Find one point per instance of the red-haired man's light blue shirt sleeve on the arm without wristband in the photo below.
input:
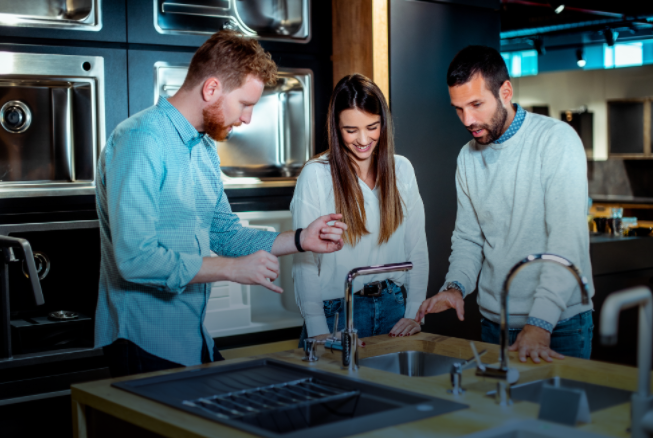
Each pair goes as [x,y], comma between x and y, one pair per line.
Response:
[133,194]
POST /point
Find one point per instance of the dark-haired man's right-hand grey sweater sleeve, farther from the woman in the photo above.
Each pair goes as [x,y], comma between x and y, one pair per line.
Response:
[564,179]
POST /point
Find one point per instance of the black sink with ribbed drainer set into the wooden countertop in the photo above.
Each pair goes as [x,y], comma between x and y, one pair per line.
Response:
[274,399]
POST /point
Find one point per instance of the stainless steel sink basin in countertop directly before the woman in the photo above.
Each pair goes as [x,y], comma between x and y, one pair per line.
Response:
[411,363]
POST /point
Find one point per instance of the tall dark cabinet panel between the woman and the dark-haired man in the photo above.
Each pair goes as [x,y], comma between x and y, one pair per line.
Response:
[424,37]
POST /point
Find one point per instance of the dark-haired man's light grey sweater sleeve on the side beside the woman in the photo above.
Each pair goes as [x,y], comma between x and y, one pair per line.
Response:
[467,241]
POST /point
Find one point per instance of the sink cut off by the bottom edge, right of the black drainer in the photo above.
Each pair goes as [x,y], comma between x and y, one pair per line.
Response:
[533,429]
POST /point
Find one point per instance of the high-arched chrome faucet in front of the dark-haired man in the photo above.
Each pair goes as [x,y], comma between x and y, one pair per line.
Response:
[503,373]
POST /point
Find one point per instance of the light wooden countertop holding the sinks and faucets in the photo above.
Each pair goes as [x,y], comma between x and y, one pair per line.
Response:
[482,414]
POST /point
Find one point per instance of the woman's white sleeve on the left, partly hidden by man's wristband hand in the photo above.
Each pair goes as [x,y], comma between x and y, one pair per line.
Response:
[305,269]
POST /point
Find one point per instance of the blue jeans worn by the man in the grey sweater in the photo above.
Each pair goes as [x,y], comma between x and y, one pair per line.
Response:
[571,337]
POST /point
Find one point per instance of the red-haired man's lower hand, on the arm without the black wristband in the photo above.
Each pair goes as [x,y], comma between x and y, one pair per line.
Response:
[260,268]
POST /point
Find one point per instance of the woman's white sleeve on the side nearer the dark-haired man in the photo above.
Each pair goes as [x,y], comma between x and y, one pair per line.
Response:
[415,247]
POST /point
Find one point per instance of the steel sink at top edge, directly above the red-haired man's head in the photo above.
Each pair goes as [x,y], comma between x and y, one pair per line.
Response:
[266,19]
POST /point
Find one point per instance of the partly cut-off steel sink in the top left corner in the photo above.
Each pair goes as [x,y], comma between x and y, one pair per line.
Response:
[65,14]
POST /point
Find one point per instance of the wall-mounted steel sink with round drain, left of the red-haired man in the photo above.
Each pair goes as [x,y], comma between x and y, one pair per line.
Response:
[51,123]
